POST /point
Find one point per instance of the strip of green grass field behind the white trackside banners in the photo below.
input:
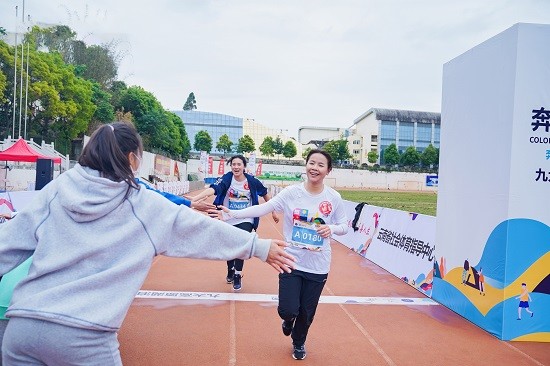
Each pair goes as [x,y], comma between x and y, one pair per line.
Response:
[419,202]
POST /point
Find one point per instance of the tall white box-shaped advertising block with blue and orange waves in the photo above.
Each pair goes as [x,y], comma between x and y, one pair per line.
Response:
[494,231]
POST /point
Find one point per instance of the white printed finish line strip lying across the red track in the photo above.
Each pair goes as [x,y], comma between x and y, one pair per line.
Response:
[224,296]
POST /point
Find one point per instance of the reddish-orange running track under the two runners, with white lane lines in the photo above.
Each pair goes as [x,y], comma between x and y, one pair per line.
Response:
[187,315]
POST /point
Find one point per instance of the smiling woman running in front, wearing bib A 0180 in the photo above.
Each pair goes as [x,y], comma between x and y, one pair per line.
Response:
[312,213]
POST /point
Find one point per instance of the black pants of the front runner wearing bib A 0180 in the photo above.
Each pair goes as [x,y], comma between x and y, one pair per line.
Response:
[299,294]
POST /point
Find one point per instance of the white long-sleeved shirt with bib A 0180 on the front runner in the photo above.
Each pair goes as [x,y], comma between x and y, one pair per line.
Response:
[301,210]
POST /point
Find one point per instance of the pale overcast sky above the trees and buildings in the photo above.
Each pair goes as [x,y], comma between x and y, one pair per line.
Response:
[286,64]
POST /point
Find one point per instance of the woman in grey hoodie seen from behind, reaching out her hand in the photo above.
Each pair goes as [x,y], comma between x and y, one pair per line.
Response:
[93,234]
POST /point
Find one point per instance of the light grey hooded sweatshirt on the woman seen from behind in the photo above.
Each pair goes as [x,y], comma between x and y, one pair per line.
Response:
[92,249]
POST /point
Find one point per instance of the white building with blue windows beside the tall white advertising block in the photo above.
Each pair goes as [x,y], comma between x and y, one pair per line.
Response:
[378,128]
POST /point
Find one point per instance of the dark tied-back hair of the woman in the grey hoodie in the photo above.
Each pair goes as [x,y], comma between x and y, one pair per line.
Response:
[107,152]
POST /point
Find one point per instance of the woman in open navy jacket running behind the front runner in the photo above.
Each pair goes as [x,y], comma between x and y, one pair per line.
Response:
[237,190]
